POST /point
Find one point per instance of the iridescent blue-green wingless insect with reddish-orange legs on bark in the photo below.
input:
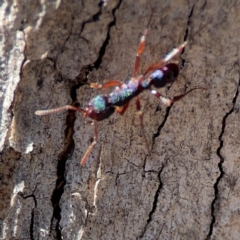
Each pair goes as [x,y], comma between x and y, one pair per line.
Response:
[103,106]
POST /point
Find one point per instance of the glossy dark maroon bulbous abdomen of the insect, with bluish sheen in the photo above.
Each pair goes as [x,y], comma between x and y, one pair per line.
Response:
[165,75]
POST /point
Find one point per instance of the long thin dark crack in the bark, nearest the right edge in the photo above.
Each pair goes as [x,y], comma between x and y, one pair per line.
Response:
[220,164]
